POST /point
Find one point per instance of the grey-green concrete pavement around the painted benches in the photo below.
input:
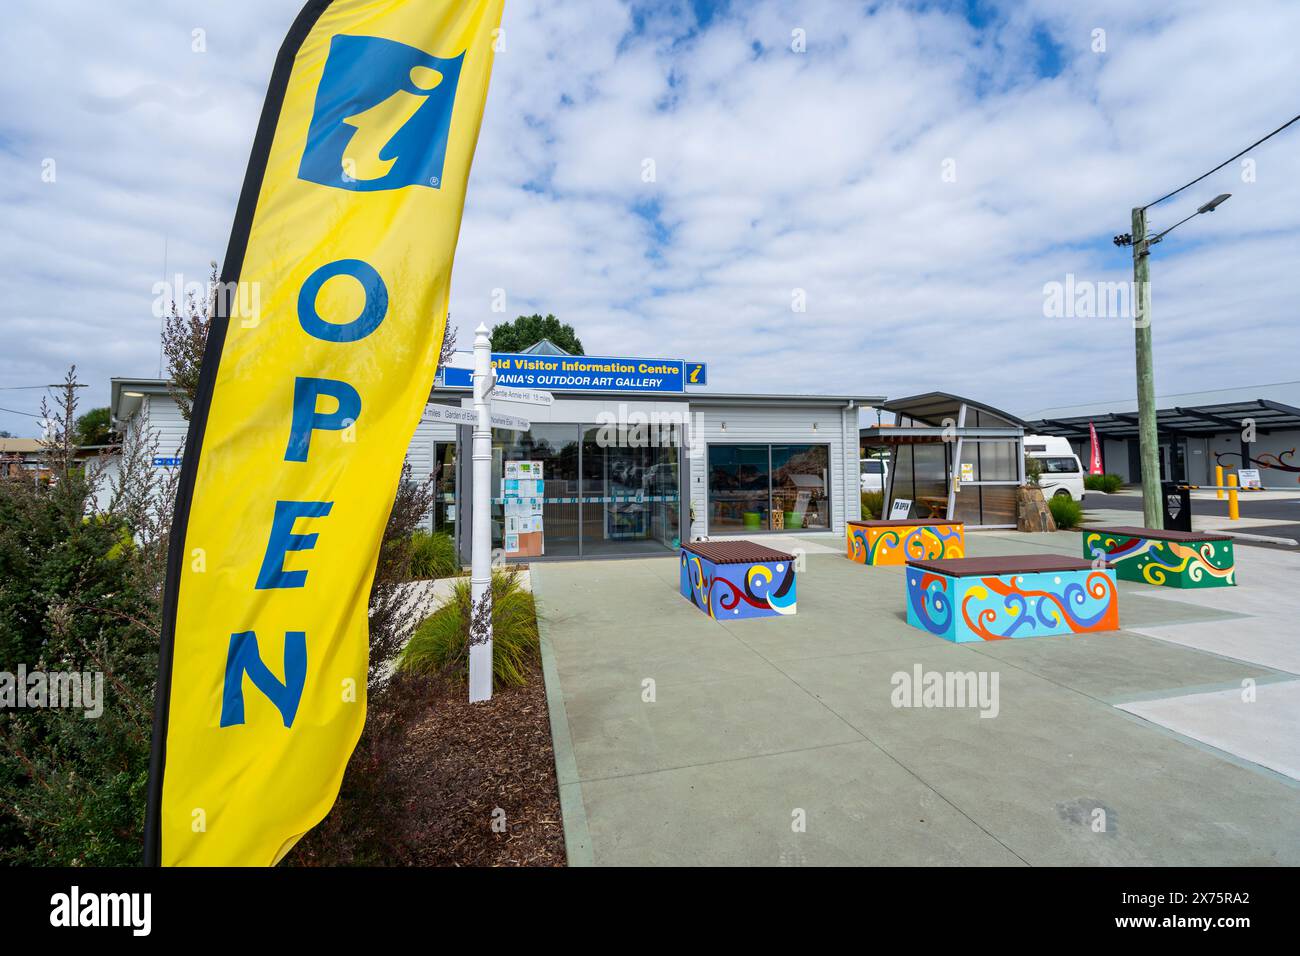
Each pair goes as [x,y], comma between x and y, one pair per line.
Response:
[682,741]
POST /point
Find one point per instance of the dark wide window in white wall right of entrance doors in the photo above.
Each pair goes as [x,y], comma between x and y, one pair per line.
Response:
[769,488]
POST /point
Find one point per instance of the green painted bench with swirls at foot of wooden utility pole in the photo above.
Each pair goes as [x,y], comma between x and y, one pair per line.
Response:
[1169,559]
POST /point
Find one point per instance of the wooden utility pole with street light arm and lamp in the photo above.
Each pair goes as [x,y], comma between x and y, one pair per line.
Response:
[1149,440]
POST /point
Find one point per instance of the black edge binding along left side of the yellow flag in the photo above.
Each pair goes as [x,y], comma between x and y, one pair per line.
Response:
[231,270]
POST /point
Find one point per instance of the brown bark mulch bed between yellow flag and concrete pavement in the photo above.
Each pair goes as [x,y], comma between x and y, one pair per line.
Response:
[426,791]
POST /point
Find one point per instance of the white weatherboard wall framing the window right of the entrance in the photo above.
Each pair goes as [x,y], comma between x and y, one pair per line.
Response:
[774,425]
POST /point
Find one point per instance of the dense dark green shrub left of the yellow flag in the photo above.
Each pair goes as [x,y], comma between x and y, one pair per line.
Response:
[76,595]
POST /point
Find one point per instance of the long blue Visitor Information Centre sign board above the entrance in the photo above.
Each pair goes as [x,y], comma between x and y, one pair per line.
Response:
[584,374]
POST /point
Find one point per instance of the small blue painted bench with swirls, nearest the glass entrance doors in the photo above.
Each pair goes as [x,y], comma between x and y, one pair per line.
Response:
[733,581]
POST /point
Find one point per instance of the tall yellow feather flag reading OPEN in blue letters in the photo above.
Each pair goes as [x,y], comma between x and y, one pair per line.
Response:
[320,360]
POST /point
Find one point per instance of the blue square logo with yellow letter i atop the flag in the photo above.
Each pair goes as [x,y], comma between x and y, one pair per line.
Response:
[383,116]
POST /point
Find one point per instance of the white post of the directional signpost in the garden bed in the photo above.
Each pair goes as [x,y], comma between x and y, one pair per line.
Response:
[480,546]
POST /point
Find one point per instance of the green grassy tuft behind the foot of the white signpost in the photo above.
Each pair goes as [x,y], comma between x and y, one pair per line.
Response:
[441,643]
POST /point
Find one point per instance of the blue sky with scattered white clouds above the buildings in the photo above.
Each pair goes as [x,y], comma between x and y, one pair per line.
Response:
[920,172]
